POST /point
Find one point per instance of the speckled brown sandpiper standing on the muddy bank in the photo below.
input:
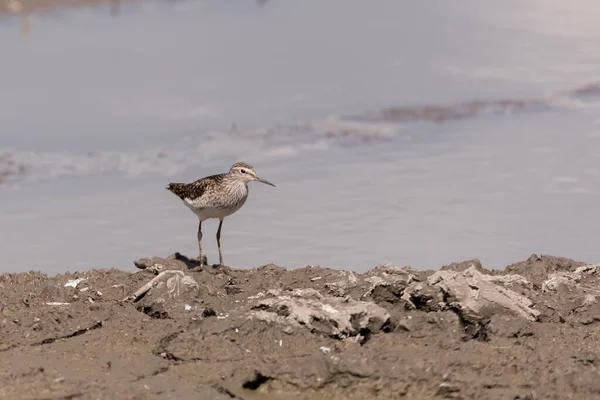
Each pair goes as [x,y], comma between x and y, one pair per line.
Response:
[217,196]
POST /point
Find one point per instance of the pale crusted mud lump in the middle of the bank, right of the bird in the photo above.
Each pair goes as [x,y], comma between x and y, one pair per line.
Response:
[331,316]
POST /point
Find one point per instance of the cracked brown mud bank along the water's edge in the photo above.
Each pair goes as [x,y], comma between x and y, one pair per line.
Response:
[527,332]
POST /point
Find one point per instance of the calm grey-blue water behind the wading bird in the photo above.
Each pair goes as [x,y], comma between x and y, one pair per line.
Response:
[413,133]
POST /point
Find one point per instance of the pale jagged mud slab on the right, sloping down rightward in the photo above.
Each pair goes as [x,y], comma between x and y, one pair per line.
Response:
[475,296]
